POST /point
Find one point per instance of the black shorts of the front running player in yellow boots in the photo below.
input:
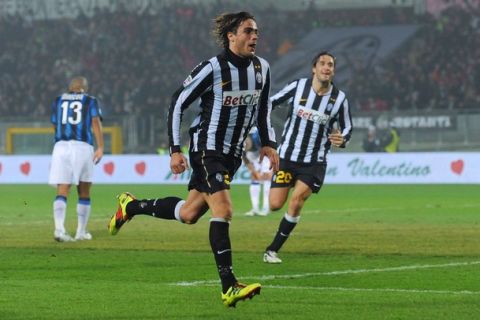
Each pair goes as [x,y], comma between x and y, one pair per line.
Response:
[212,171]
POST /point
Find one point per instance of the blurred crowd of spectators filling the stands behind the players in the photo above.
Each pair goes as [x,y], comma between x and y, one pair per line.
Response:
[134,61]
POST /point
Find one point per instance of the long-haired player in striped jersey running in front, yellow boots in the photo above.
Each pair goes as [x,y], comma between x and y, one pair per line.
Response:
[233,89]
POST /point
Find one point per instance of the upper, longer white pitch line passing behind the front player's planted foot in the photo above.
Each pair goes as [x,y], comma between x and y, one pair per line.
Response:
[334,273]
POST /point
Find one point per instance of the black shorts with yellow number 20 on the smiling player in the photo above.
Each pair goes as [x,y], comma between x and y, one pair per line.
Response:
[312,174]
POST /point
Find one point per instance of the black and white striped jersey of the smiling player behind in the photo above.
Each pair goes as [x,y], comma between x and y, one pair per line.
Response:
[310,119]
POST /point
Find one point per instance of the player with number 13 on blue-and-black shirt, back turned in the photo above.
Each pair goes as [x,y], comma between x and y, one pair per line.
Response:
[75,115]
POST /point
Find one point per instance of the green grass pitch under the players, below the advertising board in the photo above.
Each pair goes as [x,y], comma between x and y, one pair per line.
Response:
[359,252]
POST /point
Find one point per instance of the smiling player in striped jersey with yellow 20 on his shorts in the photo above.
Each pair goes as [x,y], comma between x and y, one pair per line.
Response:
[316,106]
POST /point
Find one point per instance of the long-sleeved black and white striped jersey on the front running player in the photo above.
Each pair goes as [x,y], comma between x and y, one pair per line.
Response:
[233,93]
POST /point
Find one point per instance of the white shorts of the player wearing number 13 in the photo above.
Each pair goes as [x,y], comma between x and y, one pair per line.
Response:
[72,162]
